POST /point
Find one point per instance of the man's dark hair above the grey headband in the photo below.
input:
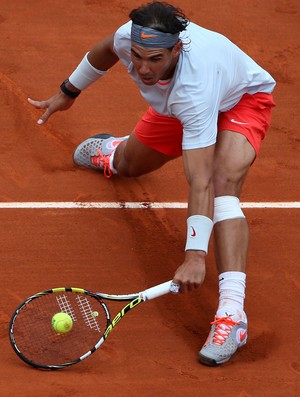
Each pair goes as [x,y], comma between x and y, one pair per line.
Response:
[161,16]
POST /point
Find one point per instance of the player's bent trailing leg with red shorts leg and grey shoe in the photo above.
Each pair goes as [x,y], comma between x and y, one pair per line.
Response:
[156,140]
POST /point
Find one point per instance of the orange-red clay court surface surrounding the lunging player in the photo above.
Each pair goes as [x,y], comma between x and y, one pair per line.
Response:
[153,352]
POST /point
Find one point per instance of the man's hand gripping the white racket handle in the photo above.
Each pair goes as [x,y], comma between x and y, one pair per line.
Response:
[190,275]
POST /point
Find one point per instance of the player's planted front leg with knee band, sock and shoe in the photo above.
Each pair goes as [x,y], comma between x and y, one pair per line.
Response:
[233,158]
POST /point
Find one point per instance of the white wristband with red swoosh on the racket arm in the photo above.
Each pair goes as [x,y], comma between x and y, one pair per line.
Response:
[199,229]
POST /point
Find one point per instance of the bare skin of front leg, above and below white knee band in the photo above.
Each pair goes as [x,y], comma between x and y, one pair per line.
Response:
[234,156]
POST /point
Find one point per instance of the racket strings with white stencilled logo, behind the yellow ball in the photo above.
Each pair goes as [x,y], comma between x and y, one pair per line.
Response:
[37,341]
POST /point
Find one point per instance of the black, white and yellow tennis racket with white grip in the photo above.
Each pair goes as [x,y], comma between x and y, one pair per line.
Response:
[36,342]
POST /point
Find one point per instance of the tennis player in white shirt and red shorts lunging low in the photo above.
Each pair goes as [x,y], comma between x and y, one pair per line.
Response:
[210,103]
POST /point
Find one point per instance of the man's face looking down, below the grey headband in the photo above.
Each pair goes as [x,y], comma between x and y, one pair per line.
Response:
[154,64]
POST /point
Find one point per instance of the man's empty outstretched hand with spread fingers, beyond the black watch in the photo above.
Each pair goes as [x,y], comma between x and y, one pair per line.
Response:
[58,102]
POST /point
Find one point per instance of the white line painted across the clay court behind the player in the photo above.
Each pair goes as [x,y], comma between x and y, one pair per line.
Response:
[133,205]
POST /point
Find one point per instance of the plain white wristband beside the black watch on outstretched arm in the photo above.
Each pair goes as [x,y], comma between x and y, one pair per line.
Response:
[85,74]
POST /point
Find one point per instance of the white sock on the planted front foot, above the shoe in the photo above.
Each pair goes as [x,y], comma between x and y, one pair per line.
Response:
[232,287]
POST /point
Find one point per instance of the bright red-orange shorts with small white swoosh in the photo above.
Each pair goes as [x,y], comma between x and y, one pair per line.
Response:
[250,117]
